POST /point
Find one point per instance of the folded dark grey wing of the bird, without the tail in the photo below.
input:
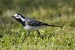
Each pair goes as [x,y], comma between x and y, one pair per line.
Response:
[32,22]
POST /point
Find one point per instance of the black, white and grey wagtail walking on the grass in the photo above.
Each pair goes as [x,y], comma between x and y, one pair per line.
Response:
[31,24]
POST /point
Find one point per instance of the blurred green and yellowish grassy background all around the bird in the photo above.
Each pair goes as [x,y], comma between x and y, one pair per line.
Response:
[58,12]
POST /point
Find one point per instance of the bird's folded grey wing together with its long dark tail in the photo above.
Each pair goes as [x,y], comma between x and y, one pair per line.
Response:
[32,22]
